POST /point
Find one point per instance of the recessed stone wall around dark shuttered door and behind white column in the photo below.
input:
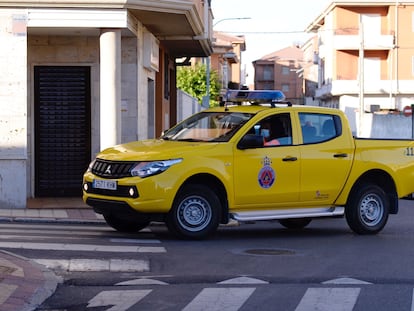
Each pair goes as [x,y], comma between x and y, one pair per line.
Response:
[78,50]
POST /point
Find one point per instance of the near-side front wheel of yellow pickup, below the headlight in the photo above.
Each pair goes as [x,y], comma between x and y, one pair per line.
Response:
[195,213]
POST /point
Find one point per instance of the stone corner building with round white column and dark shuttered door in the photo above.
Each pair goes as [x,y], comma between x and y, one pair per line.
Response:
[77,77]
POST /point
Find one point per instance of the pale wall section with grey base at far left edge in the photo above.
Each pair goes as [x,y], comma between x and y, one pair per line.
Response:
[13,108]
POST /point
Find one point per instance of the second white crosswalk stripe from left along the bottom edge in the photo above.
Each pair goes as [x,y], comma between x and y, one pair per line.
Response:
[220,299]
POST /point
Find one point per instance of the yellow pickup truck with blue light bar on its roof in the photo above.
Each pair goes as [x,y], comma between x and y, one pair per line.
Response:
[253,158]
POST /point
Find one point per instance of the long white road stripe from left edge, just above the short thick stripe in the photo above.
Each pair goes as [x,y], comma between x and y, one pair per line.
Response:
[83,247]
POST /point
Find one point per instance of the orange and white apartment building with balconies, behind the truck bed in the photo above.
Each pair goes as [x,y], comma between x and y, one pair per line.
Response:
[364,55]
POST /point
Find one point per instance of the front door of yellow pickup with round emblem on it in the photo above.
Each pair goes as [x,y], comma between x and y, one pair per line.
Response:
[267,176]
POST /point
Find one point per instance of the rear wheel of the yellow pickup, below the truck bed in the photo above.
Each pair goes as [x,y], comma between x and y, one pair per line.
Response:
[367,209]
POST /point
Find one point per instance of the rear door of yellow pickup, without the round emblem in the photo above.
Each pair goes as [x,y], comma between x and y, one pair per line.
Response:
[326,156]
